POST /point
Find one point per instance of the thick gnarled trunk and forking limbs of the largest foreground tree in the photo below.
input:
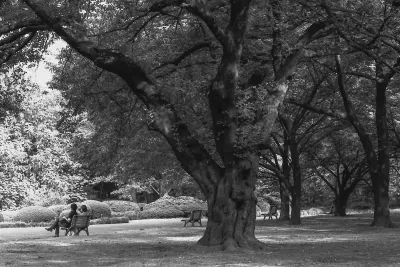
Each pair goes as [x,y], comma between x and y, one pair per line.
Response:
[242,114]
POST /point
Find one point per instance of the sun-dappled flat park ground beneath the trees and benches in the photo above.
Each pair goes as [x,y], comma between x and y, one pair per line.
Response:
[320,241]
